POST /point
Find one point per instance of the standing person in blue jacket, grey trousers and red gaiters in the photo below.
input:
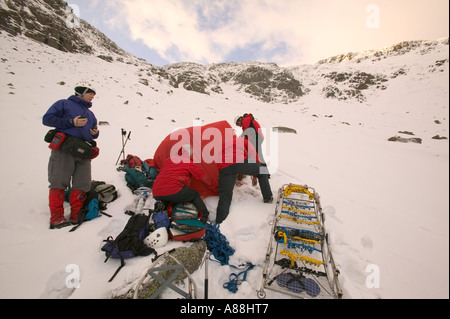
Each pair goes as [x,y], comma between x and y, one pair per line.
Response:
[73,117]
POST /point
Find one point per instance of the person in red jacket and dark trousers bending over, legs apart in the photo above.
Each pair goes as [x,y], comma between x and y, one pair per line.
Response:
[239,157]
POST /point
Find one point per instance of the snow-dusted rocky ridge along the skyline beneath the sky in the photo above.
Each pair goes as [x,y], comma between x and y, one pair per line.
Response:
[52,22]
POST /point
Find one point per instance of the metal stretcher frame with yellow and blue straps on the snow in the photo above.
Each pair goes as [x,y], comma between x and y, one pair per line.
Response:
[309,199]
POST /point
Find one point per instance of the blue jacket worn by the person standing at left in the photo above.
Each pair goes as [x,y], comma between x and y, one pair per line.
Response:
[61,114]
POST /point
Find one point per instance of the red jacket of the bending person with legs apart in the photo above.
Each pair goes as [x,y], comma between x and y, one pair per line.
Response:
[237,151]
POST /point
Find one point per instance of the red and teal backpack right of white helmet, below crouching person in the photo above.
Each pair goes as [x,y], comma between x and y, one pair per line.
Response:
[185,224]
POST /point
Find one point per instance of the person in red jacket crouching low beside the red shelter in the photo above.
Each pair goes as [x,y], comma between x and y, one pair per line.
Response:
[172,182]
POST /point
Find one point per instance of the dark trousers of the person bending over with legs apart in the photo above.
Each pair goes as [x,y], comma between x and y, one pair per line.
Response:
[227,179]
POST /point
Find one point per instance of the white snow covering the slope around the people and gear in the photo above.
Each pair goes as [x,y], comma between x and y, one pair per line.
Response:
[386,203]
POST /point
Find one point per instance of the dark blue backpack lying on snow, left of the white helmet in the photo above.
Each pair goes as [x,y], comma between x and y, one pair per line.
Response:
[130,242]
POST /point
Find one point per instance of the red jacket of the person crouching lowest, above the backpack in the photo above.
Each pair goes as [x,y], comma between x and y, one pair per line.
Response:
[174,176]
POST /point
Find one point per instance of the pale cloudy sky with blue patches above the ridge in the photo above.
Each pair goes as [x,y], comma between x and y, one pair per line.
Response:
[287,32]
